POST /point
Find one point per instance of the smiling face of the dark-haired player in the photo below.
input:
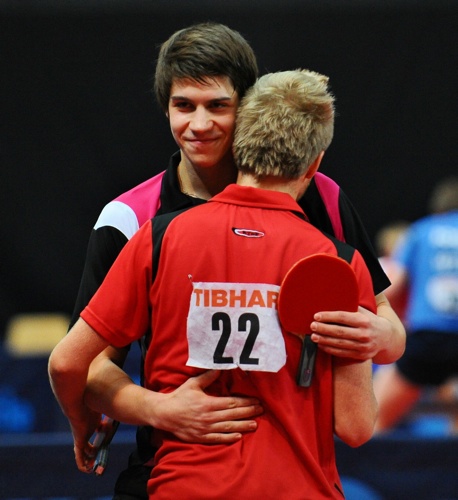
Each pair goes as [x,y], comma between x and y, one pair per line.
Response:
[202,120]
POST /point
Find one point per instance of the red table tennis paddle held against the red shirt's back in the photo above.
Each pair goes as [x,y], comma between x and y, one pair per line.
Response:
[320,282]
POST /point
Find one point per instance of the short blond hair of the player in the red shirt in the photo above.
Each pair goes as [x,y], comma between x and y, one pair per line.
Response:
[283,123]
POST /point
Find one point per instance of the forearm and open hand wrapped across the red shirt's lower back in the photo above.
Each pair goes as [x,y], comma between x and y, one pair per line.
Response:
[188,412]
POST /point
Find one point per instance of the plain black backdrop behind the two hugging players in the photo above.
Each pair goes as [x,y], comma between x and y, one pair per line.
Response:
[79,124]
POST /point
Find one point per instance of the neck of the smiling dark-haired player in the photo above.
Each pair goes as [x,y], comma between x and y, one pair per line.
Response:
[205,182]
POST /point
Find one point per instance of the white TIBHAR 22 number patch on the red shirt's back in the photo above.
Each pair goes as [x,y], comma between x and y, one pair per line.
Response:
[234,325]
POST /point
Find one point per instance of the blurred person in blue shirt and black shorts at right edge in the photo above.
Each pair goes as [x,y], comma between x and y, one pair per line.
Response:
[427,263]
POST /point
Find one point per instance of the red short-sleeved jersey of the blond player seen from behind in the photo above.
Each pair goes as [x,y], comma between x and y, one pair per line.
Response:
[209,254]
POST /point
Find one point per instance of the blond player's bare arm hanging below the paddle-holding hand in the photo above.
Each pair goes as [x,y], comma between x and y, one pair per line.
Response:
[355,406]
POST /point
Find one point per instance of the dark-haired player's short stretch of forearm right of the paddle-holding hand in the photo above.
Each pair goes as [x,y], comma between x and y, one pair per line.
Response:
[394,338]
